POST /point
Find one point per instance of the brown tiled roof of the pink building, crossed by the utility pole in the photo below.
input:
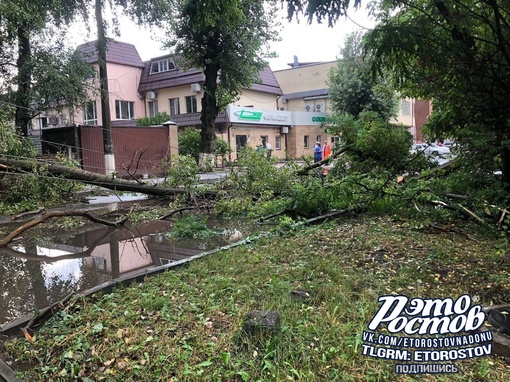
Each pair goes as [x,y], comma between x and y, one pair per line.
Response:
[117,52]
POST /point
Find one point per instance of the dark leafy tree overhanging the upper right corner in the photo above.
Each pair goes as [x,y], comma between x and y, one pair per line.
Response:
[456,53]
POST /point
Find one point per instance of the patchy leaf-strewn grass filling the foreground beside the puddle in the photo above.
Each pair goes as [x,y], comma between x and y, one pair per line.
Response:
[185,324]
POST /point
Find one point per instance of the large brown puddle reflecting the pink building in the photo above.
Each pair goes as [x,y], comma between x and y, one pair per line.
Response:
[44,267]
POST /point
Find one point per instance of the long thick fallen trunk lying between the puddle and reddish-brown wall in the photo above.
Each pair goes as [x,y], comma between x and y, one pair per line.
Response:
[87,177]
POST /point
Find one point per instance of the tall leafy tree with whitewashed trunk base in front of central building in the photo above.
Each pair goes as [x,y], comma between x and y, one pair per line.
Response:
[227,41]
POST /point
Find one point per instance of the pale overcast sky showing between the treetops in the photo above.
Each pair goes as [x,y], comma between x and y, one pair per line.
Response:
[310,43]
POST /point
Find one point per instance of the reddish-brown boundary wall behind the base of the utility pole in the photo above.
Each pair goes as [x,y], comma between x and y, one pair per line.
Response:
[149,144]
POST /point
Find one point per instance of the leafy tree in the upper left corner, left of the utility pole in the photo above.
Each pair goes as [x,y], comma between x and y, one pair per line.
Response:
[35,72]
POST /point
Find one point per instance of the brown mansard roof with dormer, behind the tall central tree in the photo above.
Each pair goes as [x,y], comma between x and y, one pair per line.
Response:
[156,81]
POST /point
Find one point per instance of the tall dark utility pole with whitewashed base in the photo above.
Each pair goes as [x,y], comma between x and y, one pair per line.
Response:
[109,159]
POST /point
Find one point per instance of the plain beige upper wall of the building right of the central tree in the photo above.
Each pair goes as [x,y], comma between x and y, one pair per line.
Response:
[304,78]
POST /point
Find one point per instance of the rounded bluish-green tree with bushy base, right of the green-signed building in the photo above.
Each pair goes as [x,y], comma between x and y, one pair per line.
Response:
[363,104]
